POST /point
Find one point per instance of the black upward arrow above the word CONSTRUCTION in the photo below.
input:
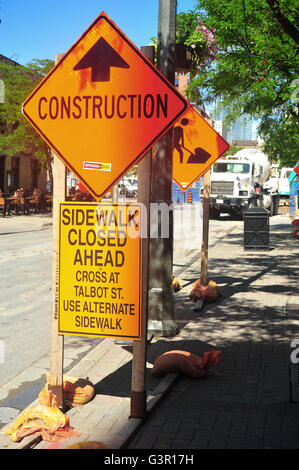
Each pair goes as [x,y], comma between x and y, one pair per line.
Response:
[100,58]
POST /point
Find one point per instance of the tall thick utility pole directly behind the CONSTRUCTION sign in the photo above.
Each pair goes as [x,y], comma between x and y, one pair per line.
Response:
[161,321]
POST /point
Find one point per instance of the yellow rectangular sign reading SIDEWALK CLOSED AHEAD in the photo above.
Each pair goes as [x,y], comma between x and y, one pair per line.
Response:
[99,282]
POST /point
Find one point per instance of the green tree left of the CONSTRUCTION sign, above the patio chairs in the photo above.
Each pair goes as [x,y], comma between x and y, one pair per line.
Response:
[16,133]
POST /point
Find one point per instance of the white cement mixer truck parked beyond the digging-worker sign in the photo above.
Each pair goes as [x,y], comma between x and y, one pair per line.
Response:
[243,181]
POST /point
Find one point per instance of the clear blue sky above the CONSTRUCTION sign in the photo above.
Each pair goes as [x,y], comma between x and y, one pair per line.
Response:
[39,29]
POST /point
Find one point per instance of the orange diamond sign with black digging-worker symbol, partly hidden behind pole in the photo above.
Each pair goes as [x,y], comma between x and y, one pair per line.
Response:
[197,145]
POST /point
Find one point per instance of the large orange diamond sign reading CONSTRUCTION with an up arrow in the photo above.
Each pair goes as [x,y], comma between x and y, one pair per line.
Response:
[103,106]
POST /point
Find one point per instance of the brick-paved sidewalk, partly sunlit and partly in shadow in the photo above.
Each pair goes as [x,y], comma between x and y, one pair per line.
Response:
[252,404]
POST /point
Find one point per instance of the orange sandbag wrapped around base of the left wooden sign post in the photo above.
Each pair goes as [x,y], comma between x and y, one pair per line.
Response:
[76,392]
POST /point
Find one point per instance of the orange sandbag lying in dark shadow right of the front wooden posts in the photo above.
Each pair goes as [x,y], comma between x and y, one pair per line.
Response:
[186,363]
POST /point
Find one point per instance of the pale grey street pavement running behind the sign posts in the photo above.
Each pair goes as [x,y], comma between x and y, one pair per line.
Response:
[25,290]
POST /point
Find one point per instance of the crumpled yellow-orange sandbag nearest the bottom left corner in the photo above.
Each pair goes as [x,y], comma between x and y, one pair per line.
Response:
[50,423]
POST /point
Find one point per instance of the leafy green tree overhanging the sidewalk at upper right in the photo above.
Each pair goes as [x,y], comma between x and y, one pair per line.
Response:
[254,71]
